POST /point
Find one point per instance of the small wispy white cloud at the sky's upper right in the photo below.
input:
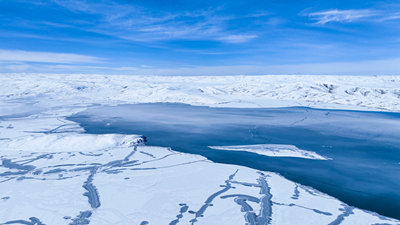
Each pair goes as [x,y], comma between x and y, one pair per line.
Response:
[344,16]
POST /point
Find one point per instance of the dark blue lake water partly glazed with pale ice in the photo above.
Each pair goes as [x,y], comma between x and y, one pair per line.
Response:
[364,146]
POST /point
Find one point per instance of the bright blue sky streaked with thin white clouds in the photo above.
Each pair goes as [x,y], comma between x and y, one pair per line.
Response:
[203,37]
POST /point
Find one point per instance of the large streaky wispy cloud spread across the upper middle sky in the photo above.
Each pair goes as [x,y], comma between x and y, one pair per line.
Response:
[141,24]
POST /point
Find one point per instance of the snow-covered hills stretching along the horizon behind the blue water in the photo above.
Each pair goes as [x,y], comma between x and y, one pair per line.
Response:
[355,92]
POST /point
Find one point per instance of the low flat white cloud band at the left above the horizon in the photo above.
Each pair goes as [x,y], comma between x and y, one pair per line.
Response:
[46,57]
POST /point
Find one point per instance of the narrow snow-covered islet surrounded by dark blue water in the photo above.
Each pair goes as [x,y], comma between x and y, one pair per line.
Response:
[273,150]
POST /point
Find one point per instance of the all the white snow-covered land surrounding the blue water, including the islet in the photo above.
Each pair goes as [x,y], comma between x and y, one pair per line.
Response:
[53,173]
